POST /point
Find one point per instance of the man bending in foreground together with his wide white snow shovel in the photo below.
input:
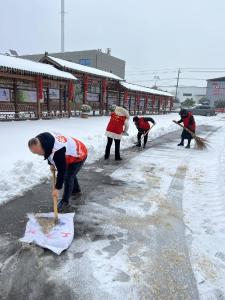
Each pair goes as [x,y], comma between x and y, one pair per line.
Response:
[66,155]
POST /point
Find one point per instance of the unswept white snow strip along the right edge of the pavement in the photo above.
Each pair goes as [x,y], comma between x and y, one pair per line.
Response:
[204,208]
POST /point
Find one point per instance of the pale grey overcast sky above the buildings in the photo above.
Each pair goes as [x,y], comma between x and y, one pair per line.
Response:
[149,35]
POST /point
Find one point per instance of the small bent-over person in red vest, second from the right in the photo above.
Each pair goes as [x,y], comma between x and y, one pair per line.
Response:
[143,128]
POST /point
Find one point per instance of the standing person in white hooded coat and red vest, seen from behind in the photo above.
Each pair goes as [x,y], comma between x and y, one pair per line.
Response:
[117,126]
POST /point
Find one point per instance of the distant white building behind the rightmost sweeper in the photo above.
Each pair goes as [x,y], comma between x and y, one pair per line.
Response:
[190,92]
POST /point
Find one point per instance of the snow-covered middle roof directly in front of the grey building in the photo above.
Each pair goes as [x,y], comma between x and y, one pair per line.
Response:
[84,69]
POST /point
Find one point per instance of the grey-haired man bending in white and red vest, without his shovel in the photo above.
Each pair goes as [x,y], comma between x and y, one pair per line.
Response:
[65,154]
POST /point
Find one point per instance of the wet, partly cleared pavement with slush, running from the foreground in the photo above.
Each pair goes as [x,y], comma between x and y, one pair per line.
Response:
[116,253]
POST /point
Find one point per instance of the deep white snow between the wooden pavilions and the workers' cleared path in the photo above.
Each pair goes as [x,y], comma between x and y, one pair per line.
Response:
[20,169]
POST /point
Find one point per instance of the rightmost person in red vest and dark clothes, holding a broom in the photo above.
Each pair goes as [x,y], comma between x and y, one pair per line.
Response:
[189,122]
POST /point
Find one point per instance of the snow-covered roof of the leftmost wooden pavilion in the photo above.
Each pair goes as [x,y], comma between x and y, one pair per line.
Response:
[25,65]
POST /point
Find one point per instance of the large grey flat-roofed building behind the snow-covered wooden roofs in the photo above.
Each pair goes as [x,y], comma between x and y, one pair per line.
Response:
[92,58]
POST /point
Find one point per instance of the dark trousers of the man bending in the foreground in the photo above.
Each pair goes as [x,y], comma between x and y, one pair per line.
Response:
[71,184]
